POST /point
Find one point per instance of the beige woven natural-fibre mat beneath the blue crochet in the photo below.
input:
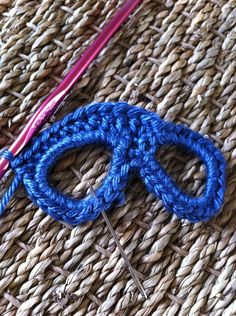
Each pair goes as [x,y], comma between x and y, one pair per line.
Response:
[176,58]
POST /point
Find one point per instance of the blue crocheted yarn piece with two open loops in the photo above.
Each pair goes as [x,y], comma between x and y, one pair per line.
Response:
[134,135]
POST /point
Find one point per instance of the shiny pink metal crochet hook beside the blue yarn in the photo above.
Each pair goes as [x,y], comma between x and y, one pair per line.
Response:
[52,102]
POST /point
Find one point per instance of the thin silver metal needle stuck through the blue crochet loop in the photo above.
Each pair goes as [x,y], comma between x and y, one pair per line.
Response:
[132,271]
